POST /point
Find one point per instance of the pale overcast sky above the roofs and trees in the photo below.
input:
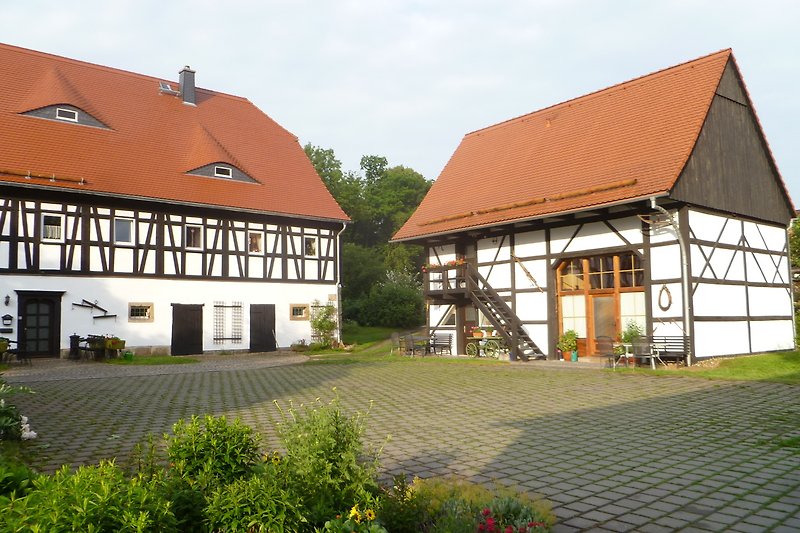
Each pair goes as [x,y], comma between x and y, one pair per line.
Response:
[407,79]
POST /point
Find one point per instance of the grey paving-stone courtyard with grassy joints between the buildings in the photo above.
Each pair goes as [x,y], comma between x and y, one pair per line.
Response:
[611,451]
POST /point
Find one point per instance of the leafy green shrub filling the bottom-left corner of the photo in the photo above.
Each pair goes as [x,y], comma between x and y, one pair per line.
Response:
[94,498]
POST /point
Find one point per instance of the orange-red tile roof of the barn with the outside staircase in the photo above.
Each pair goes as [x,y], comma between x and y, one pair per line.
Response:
[626,142]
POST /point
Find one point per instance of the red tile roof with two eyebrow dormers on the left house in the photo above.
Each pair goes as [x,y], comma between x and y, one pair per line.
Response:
[153,141]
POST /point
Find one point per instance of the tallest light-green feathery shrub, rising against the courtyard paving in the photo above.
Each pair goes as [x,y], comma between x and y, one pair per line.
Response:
[324,462]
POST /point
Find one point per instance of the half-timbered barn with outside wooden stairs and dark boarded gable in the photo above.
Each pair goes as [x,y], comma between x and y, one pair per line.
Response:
[655,201]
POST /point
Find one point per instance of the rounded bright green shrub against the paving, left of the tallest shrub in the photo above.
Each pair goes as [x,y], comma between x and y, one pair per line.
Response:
[211,451]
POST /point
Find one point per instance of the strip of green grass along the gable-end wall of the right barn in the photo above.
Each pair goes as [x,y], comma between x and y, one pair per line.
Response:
[778,367]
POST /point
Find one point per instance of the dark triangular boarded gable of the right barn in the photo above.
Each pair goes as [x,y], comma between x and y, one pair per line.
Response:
[730,168]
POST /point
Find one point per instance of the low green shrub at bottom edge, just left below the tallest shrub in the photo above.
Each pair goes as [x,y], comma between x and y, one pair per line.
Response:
[258,503]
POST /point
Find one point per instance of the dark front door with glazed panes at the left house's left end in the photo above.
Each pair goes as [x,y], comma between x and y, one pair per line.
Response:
[40,324]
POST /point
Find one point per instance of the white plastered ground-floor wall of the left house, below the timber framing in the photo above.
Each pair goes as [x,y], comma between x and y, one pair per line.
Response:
[114,294]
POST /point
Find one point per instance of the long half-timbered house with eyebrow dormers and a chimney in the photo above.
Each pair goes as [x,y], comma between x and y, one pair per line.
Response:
[177,218]
